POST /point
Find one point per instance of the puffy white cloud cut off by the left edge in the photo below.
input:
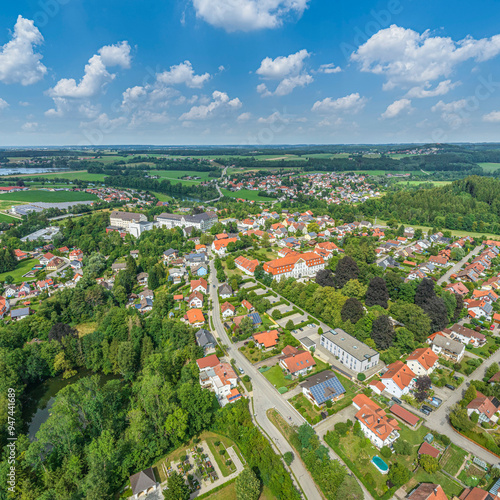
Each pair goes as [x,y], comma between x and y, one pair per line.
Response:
[19,63]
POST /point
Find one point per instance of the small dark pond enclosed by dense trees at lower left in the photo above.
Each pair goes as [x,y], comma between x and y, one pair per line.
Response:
[38,402]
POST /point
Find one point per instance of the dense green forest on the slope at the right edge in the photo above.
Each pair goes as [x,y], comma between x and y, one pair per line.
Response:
[470,204]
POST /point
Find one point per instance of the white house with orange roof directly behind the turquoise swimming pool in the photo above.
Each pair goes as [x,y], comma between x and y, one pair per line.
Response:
[376,426]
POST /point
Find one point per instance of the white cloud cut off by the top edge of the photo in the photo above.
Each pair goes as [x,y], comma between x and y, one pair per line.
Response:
[248,15]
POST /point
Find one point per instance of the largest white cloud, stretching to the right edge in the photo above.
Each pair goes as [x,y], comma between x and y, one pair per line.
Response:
[405,56]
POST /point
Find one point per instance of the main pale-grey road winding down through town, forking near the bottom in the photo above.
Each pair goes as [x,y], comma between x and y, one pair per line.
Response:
[265,397]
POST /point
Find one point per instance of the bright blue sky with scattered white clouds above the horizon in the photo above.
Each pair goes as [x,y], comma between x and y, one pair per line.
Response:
[76,72]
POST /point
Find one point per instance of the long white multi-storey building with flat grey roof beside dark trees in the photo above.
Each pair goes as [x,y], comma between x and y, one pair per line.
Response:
[352,353]
